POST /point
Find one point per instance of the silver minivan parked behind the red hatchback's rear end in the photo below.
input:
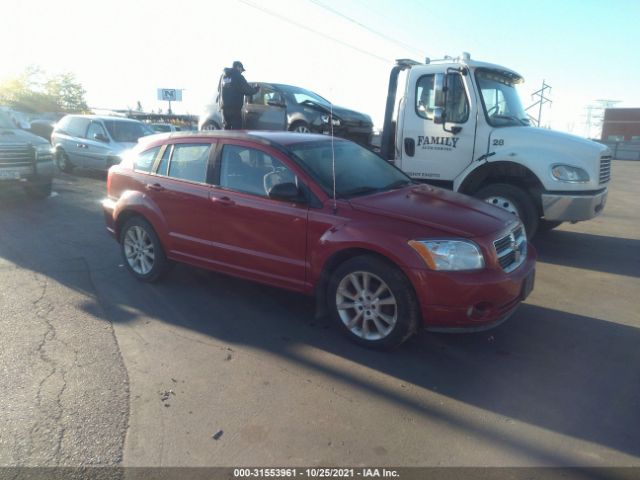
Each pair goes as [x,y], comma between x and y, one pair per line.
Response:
[92,141]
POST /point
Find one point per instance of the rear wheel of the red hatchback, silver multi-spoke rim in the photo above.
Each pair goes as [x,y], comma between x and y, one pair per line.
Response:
[141,250]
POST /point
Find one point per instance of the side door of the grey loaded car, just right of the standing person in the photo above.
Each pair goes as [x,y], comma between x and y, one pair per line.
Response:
[265,110]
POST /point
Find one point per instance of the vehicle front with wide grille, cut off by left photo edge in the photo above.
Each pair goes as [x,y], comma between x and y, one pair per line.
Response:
[25,159]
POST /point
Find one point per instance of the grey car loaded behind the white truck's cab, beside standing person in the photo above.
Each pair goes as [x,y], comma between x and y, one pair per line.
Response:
[285,107]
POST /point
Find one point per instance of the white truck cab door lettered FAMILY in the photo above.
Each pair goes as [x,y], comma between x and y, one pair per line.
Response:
[430,151]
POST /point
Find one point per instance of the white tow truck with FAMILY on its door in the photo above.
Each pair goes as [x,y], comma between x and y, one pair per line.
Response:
[459,123]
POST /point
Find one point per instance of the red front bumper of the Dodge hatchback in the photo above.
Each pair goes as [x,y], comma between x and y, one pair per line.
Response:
[472,301]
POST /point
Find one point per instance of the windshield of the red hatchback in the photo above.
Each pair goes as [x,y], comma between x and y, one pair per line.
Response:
[358,171]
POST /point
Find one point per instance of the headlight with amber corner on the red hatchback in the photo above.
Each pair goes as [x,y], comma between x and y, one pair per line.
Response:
[449,254]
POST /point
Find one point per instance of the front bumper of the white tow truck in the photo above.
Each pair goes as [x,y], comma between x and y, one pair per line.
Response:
[572,207]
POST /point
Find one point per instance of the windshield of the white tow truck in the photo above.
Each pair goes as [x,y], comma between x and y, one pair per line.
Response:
[502,105]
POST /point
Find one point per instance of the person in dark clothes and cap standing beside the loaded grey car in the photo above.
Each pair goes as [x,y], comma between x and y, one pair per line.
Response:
[233,87]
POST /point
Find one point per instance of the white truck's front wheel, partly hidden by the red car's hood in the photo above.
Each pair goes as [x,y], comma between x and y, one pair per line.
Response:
[513,200]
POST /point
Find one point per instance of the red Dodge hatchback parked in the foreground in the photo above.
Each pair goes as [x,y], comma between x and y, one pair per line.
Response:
[383,255]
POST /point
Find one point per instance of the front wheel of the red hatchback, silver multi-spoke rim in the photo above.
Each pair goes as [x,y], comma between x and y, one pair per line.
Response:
[373,303]
